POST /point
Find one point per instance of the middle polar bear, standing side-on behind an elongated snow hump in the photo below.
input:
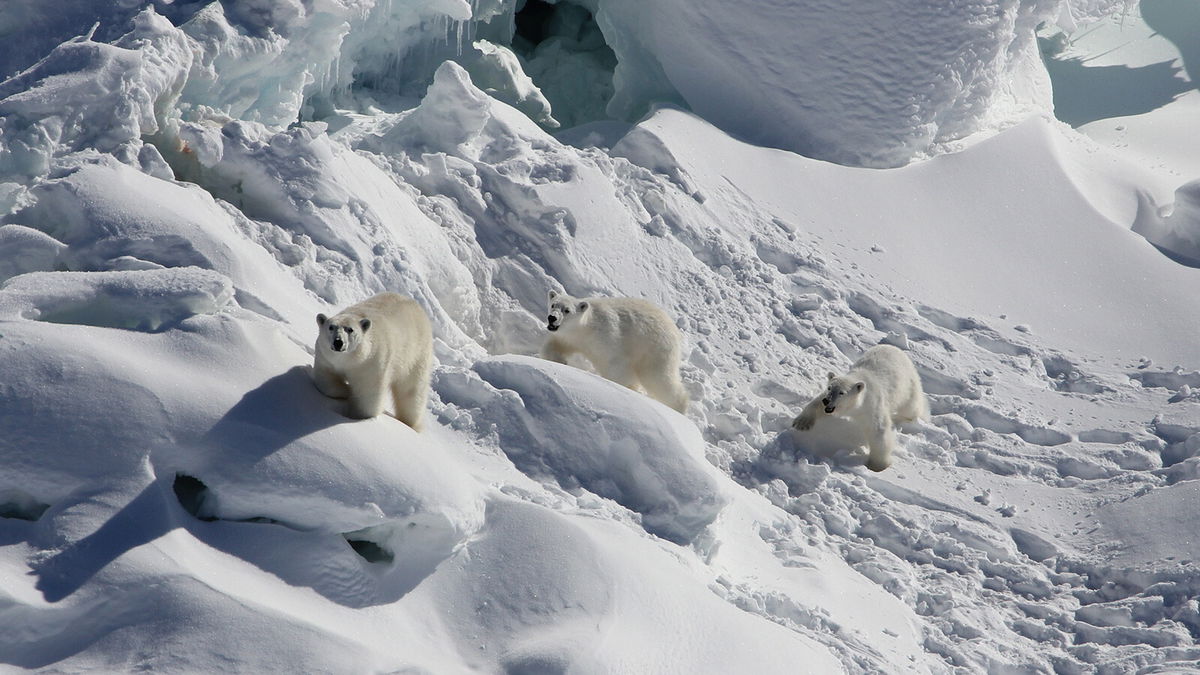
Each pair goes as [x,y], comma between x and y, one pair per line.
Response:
[628,341]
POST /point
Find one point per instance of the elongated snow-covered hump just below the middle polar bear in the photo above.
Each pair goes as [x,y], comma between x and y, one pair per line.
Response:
[560,422]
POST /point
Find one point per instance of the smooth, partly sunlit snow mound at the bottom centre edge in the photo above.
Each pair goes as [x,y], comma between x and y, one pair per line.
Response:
[539,593]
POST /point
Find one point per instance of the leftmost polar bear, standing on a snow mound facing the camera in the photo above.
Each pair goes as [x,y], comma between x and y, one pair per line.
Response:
[383,344]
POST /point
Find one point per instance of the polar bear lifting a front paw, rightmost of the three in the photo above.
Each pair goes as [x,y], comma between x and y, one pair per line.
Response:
[881,390]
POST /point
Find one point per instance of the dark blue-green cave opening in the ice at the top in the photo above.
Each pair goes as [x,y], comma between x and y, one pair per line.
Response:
[565,52]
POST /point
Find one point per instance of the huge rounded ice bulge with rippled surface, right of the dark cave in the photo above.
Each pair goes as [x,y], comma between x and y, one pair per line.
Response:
[881,83]
